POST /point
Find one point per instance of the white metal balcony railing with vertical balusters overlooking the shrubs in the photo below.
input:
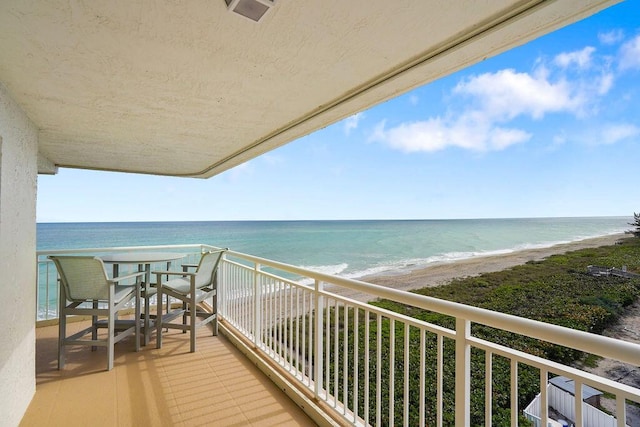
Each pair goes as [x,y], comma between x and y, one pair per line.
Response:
[347,353]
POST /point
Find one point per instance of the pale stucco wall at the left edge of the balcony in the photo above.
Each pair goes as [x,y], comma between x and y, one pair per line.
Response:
[18,183]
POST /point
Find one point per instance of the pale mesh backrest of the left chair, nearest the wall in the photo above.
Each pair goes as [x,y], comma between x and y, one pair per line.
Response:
[83,277]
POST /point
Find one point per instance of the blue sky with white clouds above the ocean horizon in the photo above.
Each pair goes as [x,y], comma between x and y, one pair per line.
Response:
[549,129]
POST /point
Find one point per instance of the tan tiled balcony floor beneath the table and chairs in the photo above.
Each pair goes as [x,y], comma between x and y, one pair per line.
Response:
[215,386]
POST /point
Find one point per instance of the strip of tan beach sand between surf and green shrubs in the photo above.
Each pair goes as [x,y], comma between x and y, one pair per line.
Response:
[444,272]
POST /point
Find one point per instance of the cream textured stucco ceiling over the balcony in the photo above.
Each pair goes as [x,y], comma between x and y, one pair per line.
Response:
[188,88]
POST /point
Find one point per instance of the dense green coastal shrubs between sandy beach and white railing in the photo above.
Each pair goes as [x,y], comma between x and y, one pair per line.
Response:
[557,290]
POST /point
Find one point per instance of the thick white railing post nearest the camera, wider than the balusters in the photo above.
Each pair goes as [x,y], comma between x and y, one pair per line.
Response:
[463,372]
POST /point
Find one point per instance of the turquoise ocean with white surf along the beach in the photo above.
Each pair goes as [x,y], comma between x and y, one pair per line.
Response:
[346,248]
